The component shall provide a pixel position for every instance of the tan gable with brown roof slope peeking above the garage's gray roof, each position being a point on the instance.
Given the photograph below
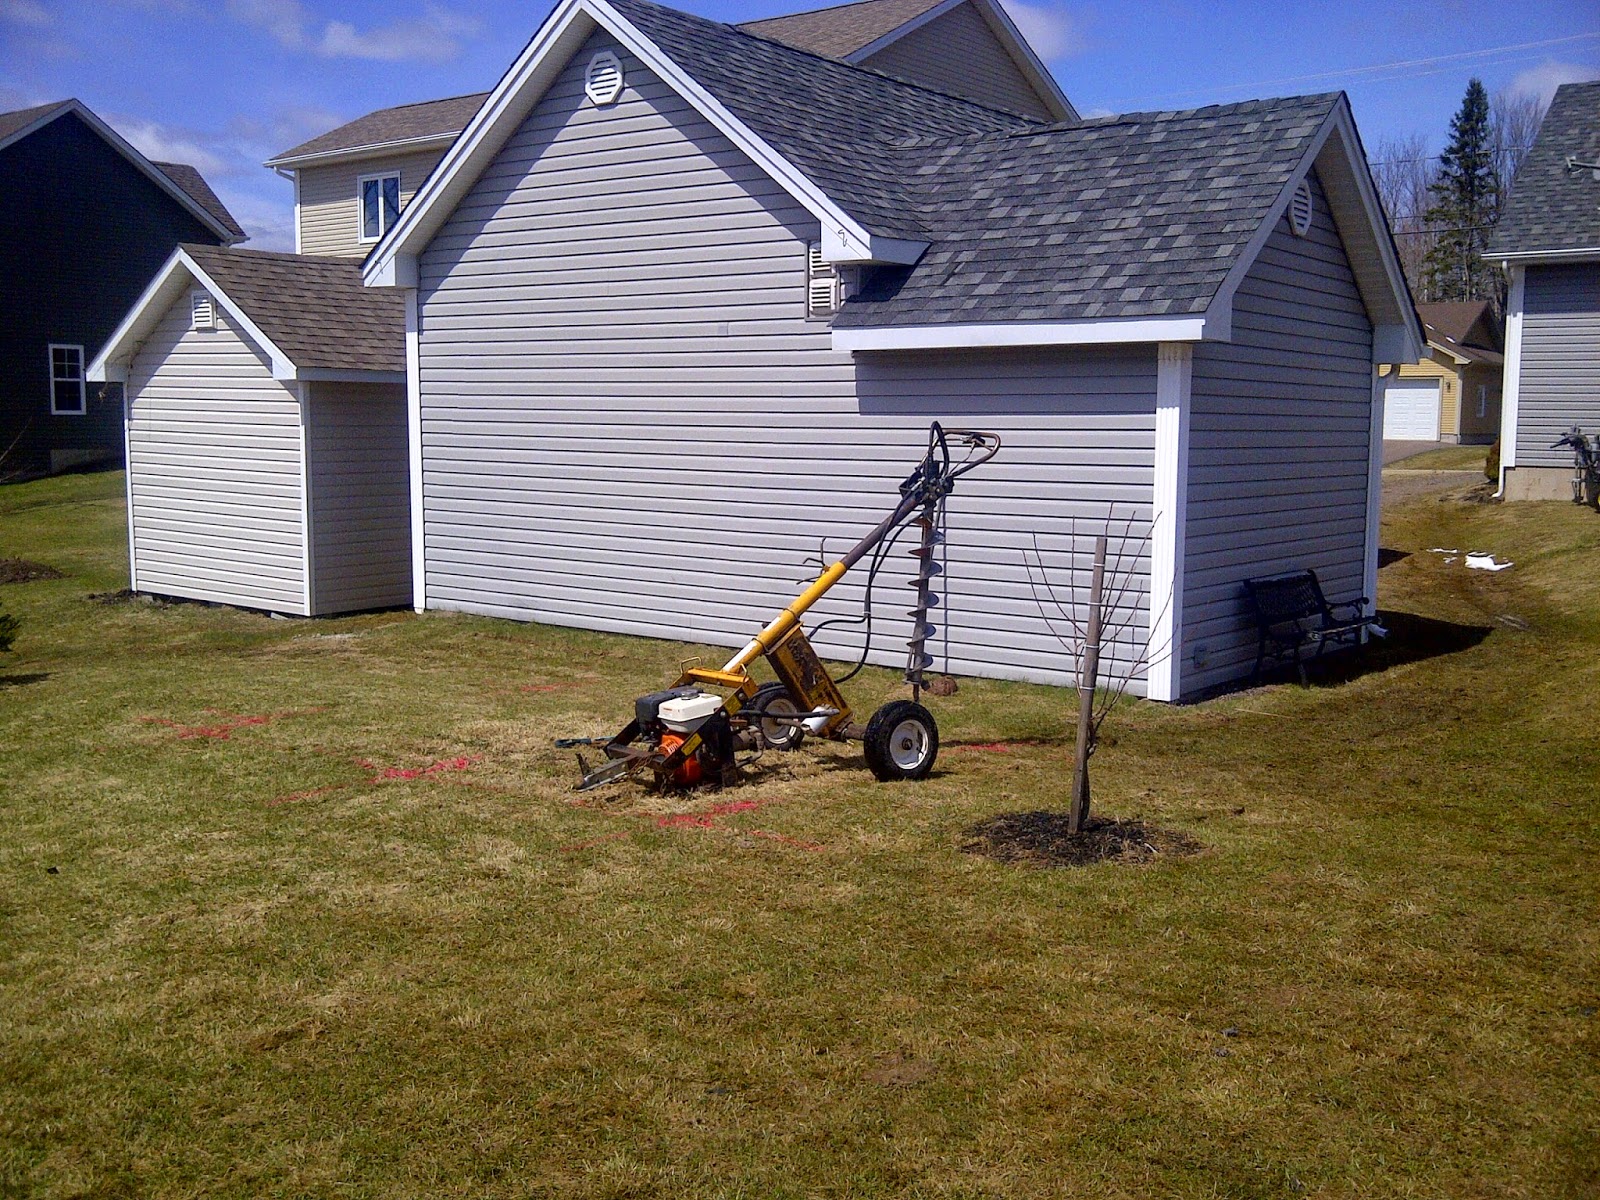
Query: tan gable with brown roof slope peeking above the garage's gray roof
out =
(967, 49)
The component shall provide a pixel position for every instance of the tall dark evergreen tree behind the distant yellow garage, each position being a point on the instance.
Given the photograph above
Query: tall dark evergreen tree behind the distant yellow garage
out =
(1466, 206)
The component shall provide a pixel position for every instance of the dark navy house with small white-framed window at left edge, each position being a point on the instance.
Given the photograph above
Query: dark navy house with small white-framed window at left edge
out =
(90, 222)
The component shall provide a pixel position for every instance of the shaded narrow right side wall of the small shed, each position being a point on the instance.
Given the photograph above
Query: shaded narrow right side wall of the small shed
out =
(361, 497)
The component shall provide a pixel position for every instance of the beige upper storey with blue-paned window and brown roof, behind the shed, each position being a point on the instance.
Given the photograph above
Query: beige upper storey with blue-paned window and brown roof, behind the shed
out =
(353, 183)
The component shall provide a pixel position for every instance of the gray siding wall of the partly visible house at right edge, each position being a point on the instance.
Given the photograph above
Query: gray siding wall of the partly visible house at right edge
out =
(1561, 361)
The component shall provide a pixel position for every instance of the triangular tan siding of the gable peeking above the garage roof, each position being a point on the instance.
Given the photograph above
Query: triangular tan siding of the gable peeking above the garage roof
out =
(961, 57)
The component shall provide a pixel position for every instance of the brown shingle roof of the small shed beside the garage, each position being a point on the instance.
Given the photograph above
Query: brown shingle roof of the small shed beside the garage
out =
(314, 310)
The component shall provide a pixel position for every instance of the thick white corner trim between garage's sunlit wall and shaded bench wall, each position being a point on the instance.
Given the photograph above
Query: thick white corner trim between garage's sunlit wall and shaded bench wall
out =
(1170, 510)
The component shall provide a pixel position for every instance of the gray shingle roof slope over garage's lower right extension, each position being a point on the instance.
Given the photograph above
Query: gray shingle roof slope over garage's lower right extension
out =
(1142, 215)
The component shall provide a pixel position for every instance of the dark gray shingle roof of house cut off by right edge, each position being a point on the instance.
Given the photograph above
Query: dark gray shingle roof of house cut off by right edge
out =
(1554, 209)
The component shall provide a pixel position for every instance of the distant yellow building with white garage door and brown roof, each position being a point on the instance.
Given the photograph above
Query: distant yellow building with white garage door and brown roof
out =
(1454, 393)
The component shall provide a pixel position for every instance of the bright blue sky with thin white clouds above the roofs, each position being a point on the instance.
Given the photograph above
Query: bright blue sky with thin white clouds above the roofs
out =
(226, 84)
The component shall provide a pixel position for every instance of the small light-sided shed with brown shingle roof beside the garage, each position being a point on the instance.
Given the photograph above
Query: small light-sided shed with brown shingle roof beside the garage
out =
(266, 434)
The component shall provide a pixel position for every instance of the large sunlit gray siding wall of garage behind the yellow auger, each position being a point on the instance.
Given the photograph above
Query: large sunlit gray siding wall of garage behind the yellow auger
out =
(631, 425)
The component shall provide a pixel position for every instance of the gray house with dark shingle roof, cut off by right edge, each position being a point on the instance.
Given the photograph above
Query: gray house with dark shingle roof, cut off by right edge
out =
(1550, 242)
